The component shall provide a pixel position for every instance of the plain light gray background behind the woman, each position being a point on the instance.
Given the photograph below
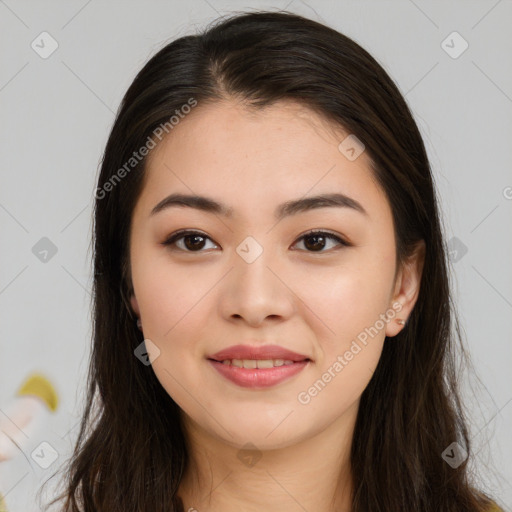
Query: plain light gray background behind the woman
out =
(55, 117)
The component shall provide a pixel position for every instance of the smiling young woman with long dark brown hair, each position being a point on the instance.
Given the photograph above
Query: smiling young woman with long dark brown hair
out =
(272, 320)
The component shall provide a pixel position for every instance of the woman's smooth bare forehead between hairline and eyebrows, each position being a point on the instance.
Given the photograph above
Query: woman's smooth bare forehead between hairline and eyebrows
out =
(254, 157)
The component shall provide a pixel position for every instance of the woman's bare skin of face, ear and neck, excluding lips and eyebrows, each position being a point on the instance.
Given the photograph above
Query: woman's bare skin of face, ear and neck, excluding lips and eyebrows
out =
(193, 304)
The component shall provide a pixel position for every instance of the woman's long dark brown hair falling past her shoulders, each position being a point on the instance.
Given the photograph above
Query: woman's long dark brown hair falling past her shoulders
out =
(131, 452)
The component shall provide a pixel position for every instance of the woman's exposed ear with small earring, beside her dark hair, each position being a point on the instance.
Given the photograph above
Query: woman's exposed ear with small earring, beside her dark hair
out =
(407, 288)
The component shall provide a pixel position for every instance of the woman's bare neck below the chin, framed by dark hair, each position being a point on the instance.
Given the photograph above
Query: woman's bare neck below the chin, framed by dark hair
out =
(312, 474)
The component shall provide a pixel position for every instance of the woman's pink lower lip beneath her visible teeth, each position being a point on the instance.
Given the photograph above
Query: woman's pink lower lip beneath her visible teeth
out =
(258, 377)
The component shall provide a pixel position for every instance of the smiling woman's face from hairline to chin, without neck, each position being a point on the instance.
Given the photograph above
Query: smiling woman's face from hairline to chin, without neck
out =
(252, 278)
